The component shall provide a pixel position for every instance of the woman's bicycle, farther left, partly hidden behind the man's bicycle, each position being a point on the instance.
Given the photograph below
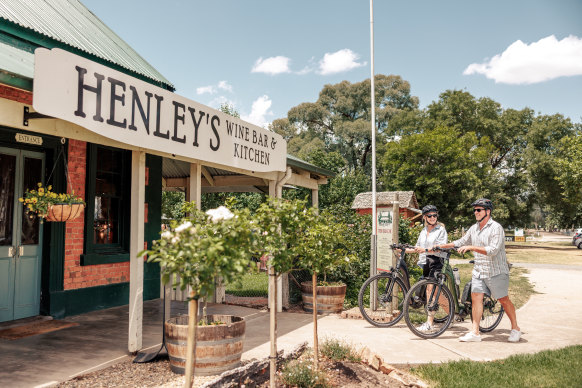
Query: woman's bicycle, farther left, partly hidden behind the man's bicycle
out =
(384, 309)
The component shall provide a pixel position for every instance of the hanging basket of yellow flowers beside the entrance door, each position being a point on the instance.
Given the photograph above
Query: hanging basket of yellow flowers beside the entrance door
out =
(51, 206)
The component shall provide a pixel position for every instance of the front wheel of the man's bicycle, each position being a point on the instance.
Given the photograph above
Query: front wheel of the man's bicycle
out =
(417, 310)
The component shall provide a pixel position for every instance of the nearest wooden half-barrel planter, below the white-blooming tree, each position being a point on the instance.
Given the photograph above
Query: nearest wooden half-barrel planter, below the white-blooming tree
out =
(218, 347)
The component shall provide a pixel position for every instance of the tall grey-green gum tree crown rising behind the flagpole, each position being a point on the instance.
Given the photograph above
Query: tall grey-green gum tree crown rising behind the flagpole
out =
(340, 119)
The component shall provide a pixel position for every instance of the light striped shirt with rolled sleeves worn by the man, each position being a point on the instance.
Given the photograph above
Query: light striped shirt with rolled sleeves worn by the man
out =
(492, 238)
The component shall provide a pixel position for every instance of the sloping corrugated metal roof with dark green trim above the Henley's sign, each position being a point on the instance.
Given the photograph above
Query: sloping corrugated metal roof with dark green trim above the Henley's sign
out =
(69, 25)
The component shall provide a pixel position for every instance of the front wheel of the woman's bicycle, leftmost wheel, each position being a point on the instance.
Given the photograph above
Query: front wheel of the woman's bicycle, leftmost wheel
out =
(390, 295)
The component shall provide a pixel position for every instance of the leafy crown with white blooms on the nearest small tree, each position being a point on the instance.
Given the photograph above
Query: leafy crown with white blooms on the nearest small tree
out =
(203, 247)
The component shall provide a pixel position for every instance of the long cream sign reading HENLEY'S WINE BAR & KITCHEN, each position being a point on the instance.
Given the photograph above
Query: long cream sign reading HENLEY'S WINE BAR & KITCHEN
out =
(131, 111)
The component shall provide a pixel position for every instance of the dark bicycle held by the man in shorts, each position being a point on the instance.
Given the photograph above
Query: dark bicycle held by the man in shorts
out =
(443, 301)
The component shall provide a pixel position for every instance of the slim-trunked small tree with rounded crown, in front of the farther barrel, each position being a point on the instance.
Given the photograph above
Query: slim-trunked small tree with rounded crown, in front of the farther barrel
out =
(322, 248)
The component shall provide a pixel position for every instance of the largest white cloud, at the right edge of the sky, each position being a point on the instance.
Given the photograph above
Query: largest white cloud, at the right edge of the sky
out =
(540, 61)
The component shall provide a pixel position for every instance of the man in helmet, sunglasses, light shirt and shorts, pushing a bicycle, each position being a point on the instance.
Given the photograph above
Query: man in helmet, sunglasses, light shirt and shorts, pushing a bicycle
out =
(491, 272)
